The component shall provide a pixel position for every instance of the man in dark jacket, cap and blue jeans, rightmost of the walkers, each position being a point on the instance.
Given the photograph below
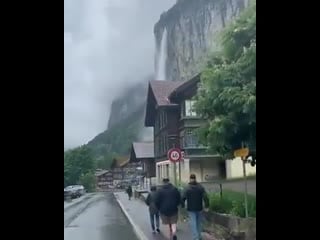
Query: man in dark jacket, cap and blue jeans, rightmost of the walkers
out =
(195, 195)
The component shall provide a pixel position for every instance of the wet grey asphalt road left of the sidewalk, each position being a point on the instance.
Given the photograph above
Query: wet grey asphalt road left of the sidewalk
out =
(97, 218)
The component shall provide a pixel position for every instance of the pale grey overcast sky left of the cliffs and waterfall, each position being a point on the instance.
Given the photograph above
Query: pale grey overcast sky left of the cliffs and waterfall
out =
(108, 44)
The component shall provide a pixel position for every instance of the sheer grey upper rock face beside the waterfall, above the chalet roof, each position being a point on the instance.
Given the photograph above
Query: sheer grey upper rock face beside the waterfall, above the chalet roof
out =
(192, 27)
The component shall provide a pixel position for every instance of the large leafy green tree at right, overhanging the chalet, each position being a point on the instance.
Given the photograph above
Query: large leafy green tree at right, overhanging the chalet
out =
(227, 96)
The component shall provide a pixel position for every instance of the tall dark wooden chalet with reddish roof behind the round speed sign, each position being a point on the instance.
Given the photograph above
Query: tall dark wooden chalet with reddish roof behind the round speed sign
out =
(170, 112)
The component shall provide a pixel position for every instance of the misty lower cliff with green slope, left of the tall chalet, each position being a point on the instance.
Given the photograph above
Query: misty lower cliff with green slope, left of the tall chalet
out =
(125, 123)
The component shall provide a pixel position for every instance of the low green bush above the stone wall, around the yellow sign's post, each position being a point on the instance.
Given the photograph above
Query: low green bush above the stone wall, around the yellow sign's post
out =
(232, 203)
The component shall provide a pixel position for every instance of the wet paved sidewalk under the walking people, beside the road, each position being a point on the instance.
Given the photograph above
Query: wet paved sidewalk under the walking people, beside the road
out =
(138, 215)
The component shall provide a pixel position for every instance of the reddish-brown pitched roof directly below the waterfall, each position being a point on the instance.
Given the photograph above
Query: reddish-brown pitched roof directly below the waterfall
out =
(162, 89)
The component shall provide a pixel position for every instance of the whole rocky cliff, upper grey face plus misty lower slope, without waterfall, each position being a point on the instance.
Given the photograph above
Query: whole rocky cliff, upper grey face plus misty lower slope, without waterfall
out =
(192, 27)
